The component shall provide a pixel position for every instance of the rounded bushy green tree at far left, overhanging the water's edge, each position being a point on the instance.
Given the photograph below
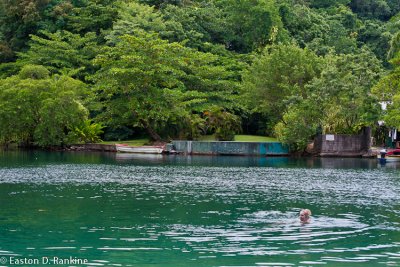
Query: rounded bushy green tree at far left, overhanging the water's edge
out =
(39, 109)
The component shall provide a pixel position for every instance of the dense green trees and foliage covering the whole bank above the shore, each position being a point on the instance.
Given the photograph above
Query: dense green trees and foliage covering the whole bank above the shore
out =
(75, 71)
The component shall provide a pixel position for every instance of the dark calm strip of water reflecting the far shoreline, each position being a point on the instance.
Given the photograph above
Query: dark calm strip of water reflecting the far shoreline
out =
(23, 158)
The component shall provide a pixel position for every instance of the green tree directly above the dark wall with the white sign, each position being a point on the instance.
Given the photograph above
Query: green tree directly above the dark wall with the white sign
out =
(345, 92)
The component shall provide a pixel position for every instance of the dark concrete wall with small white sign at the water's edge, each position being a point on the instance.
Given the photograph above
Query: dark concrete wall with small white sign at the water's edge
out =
(343, 145)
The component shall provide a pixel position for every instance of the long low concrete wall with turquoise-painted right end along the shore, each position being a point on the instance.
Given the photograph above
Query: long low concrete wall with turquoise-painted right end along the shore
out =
(231, 148)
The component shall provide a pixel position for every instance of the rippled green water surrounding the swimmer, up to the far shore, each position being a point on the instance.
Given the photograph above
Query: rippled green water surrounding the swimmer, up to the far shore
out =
(172, 211)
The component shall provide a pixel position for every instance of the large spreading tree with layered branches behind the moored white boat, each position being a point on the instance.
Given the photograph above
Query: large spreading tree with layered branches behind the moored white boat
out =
(150, 83)
